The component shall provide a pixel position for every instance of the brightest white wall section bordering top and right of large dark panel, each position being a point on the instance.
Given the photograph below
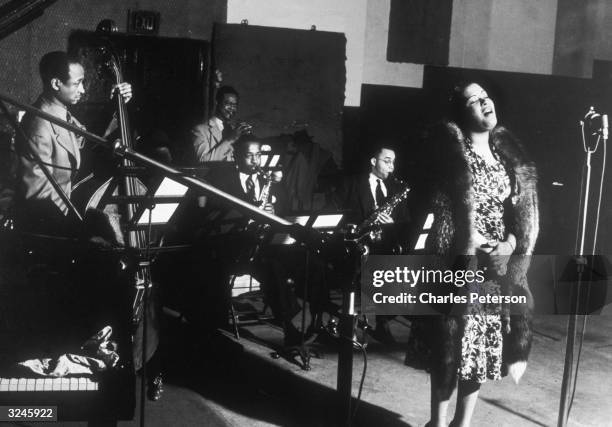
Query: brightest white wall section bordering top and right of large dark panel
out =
(344, 16)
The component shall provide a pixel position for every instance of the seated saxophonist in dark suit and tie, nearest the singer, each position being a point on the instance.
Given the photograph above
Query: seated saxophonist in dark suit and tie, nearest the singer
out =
(369, 198)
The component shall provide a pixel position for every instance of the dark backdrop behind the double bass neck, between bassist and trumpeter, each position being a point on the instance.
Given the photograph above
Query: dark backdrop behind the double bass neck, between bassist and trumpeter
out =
(169, 77)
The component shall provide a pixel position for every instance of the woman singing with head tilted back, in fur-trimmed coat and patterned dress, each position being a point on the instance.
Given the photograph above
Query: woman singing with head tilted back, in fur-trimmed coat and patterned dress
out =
(485, 204)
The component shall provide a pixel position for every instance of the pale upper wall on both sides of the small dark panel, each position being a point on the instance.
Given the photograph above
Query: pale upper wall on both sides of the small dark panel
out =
(504, 35)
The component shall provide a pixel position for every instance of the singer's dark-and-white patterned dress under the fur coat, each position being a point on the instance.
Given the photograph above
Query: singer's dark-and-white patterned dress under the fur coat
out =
(481, 343)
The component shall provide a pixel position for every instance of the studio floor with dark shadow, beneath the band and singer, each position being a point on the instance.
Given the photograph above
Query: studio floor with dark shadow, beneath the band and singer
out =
(230, 382)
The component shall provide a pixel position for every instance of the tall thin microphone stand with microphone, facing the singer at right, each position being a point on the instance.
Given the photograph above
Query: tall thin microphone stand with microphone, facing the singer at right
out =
(575, 292)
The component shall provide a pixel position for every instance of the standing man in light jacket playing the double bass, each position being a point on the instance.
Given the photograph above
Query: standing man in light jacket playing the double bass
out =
(40, 205)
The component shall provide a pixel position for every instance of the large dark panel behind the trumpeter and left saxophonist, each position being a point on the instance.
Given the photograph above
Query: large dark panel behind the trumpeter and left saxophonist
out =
(287, 79)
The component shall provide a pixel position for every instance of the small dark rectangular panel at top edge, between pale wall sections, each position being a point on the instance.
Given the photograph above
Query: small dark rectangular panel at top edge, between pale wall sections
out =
(419, 31)
